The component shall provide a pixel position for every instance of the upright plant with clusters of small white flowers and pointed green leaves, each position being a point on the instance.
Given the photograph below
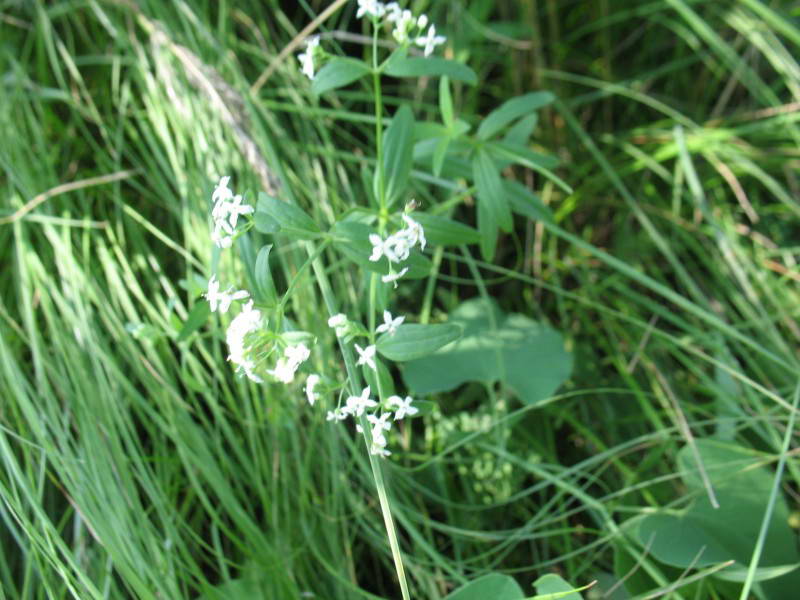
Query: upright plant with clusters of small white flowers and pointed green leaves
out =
(386, 237)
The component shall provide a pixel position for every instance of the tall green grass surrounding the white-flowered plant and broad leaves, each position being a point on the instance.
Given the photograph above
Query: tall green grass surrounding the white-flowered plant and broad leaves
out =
(136, 465)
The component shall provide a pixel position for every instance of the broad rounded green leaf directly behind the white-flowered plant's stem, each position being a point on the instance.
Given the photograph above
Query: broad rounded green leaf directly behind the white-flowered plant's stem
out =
(528, 356)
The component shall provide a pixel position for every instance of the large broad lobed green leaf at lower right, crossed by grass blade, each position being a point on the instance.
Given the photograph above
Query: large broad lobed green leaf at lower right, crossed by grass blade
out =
(702, 535)
